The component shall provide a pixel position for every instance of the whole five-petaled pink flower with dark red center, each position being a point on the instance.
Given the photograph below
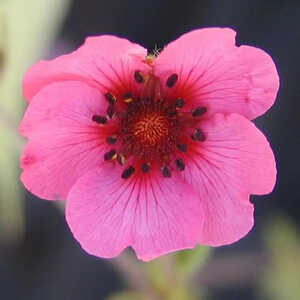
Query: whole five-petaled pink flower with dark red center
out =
(154, 153)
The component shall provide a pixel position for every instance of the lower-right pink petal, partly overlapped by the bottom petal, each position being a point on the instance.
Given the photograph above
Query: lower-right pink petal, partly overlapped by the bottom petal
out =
(234, 161)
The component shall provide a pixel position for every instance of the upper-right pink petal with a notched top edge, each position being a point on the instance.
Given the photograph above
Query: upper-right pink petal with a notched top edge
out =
(215, 73)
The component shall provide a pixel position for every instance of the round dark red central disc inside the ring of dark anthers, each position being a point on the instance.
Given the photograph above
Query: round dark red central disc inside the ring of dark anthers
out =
(148, 132)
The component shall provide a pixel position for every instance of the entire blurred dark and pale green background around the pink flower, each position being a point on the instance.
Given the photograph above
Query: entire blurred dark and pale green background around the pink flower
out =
(39, 259)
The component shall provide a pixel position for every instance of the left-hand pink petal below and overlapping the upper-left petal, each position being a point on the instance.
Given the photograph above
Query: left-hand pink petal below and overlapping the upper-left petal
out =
(64, 142)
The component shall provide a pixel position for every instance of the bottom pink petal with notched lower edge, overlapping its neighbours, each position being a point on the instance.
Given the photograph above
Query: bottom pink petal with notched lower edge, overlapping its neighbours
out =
(152, 214)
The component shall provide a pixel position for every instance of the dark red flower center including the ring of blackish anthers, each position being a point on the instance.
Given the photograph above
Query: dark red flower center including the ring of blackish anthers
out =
(152, 131)
